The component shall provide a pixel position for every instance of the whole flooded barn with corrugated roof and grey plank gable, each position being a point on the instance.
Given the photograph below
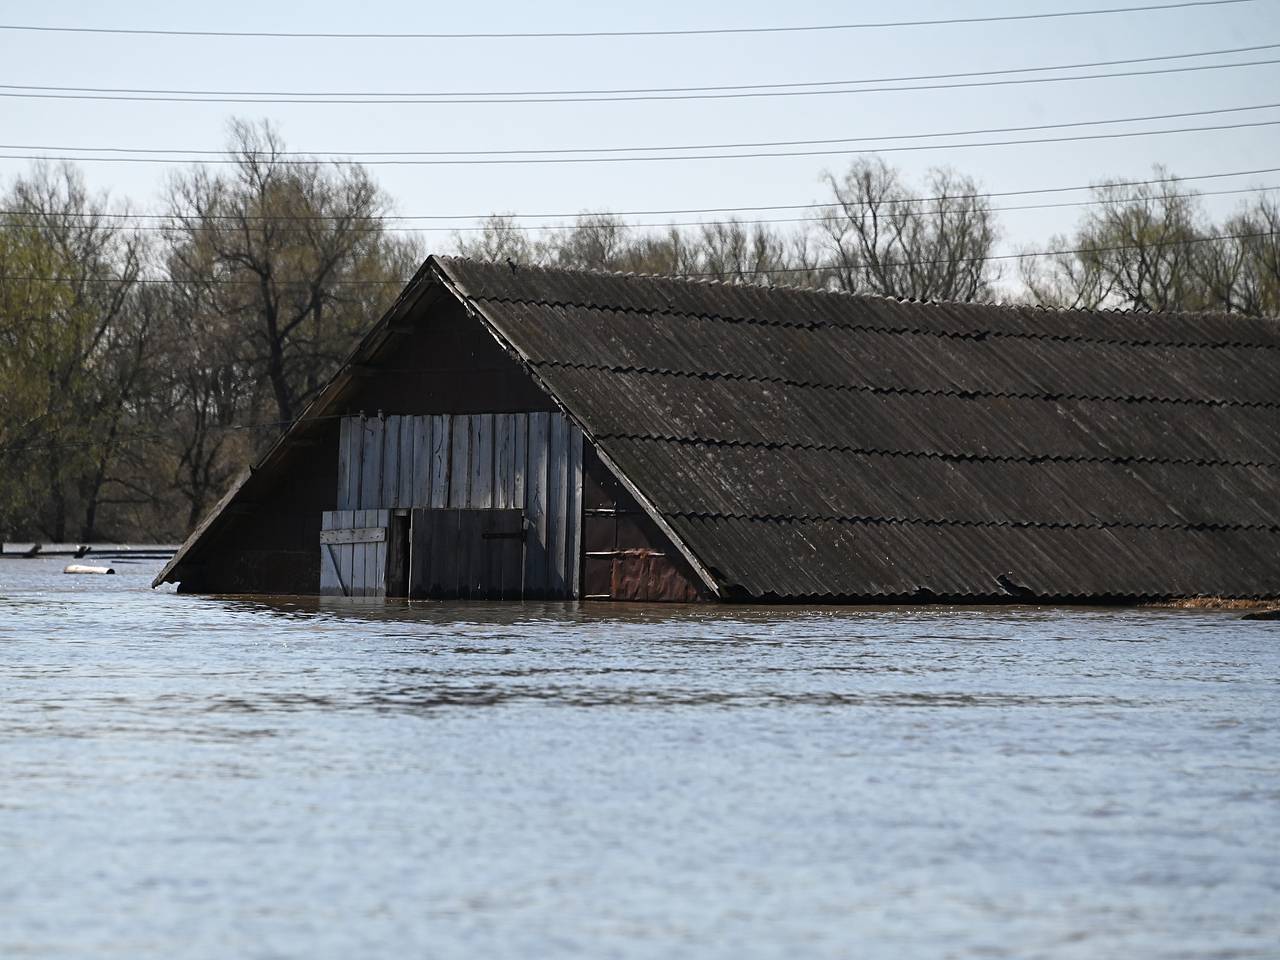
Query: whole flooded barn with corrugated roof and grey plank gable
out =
(509, 432)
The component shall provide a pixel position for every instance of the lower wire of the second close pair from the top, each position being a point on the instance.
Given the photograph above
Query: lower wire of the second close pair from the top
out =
(755, 156)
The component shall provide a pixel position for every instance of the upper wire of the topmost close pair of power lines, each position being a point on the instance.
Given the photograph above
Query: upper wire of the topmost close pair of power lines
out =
(633, 90)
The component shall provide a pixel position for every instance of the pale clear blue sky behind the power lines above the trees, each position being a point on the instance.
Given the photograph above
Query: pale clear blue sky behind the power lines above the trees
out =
(523, 65)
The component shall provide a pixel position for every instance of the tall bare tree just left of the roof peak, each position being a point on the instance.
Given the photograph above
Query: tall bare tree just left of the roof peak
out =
(291, 252)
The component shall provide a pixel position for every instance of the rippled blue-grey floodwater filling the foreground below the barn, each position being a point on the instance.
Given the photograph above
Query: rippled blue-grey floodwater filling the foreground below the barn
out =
(213, 778)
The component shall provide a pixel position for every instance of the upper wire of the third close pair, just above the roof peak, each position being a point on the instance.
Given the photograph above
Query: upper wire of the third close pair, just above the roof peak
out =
(671, 212)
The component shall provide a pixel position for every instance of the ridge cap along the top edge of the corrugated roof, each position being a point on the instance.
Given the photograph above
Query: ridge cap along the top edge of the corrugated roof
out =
(1218, 317)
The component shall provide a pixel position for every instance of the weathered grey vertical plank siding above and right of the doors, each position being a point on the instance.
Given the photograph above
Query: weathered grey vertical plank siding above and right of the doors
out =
(478, 461)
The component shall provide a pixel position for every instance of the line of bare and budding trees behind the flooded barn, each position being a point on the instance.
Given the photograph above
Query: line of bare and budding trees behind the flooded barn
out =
(143, 367)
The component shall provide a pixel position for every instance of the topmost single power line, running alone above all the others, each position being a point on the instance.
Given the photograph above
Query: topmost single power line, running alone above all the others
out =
(602, 34)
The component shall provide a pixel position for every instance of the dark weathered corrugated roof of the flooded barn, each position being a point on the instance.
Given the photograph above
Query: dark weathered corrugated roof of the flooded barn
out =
(810, 446)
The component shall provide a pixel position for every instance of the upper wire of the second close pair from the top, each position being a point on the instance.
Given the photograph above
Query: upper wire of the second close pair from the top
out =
(232, 157)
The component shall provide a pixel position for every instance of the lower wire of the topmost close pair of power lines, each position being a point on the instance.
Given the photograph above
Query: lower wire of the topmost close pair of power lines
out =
(159, 97)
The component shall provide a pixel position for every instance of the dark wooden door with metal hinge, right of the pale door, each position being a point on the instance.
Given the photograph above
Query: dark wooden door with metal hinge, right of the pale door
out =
(469, 555)
